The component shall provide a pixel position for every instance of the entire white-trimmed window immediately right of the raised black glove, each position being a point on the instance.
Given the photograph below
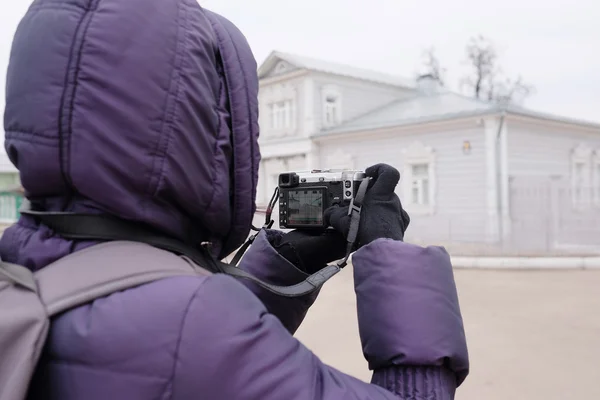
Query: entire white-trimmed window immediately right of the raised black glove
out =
(419, 179)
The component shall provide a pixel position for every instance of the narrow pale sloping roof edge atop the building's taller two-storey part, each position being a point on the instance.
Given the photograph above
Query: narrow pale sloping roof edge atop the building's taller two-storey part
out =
(329, 67)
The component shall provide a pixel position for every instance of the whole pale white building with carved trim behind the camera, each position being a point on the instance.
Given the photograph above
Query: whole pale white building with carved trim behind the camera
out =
(476, 176)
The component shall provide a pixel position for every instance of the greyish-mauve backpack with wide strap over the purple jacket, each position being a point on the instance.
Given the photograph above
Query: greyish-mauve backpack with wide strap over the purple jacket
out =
(29, 300)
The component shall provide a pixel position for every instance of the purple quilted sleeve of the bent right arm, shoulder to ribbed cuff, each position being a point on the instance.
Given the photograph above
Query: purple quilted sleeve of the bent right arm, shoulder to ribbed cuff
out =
(410, 325)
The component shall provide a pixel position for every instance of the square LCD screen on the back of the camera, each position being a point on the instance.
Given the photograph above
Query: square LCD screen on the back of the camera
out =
(305, 207)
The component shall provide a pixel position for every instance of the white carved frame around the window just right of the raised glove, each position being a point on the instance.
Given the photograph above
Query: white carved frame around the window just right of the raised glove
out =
(419, 154)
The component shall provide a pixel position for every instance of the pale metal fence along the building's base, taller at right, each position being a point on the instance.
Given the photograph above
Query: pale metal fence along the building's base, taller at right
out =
(546, 217)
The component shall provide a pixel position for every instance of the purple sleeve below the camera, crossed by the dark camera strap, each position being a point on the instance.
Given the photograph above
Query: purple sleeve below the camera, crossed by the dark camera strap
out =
(264, 262)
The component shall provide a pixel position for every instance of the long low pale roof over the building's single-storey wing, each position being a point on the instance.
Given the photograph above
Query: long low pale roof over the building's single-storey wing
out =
(438, 107)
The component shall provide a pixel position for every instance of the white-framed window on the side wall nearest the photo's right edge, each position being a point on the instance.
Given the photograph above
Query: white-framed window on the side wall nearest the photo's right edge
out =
(581, 176)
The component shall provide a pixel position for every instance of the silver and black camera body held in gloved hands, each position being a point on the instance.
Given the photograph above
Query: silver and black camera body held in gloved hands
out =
(304, 196)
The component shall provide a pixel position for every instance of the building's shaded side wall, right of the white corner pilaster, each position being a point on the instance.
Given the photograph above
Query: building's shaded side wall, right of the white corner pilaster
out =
(549, 210)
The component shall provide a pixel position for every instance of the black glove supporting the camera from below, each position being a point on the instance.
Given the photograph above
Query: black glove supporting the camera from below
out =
(311, 251)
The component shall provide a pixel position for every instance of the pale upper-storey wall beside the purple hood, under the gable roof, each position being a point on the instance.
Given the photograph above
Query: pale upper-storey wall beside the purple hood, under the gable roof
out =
(291, 148)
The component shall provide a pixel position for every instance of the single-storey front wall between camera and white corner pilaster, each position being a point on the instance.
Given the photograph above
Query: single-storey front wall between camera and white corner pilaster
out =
(460, 203)
